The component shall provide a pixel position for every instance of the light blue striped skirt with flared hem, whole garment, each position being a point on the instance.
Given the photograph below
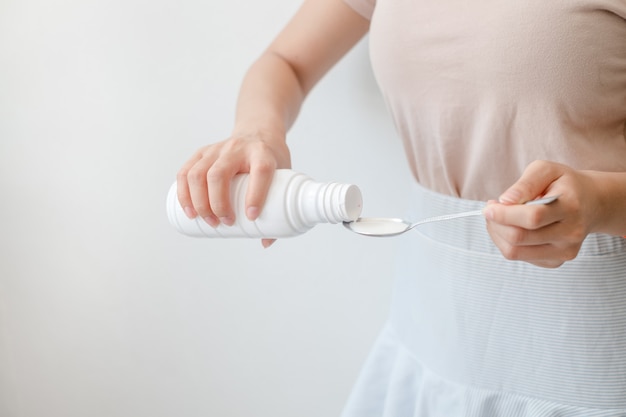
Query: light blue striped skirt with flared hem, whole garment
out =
(472, 334)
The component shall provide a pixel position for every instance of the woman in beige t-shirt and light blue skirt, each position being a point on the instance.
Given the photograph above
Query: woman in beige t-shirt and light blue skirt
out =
(523, 317)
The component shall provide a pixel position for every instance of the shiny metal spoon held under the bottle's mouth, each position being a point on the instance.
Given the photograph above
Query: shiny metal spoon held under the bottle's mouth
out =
(383, 227)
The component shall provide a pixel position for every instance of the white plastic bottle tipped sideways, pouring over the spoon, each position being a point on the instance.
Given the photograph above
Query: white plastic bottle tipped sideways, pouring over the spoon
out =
(295, 203)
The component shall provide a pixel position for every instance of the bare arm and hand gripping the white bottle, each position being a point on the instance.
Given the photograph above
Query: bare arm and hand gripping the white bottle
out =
(319, 34)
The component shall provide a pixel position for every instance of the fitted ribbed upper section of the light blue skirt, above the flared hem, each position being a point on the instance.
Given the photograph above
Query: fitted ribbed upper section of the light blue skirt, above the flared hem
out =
(477, 319)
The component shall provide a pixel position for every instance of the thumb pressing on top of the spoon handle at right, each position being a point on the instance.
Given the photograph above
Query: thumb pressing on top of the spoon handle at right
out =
(533, 182)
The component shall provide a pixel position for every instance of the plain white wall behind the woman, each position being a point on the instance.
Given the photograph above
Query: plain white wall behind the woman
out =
(104, 309)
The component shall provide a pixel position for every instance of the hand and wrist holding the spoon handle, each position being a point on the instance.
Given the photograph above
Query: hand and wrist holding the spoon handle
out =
(590, 202)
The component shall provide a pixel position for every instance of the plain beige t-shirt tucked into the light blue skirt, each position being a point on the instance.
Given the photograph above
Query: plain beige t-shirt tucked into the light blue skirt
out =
(478, 90)
